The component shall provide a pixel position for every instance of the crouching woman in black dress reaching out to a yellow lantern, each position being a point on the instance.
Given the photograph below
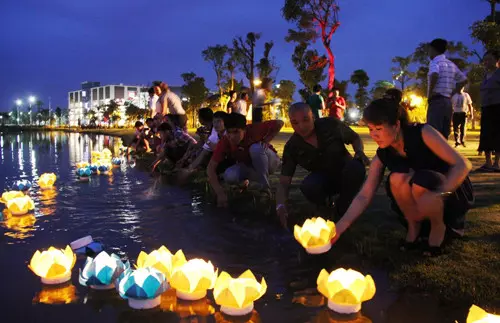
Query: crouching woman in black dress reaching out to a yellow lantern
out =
(427, 181)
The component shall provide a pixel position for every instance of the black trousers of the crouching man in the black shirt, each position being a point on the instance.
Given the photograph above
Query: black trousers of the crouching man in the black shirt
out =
(317, 187)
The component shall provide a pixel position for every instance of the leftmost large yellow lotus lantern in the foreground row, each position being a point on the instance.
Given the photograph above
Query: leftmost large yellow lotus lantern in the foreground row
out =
(53, 265)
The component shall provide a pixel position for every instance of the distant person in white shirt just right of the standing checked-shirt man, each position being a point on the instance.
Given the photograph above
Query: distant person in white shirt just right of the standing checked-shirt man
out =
(462, 108)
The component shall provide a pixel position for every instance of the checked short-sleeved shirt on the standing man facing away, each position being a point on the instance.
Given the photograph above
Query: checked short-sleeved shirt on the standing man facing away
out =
(449, 76)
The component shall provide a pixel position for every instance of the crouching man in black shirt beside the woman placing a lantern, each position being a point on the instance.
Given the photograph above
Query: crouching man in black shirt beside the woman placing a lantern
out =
(319, 147)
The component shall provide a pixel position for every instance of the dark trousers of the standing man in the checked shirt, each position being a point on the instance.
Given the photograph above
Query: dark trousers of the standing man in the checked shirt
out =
(439, 114)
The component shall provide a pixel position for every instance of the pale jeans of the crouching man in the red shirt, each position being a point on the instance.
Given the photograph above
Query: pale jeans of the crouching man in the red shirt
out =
(264, 162)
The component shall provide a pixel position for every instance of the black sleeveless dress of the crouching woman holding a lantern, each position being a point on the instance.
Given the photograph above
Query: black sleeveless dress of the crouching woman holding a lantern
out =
(426, 165)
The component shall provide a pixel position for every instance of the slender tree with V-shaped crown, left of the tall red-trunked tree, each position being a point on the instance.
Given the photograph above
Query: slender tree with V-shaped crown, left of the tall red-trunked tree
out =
(244, 54)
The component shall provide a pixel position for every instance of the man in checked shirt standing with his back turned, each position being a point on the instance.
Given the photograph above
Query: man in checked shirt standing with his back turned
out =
(445, 79)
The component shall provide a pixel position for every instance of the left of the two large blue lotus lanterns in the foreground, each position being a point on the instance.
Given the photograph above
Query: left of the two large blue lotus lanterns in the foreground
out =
(102, 271)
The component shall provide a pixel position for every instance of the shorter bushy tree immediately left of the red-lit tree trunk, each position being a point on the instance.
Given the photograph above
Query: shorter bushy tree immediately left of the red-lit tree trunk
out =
(310, 67)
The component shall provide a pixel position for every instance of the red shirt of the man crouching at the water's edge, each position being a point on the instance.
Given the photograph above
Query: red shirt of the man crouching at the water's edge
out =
(254, 133)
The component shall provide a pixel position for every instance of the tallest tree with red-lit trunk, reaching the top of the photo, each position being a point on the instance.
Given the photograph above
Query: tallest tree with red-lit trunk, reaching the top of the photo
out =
(315, 19)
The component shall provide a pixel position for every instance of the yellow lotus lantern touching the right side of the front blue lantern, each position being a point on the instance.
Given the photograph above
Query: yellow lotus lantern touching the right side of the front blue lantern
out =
(193, 278)
